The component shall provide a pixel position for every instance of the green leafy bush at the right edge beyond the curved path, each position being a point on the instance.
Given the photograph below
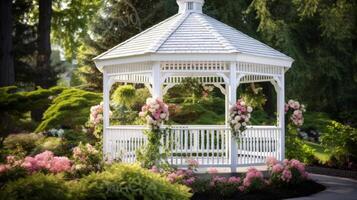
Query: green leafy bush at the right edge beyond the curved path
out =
(341, 141)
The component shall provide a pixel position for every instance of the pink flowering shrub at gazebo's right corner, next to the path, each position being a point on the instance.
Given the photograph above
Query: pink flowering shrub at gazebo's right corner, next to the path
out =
(288, 173)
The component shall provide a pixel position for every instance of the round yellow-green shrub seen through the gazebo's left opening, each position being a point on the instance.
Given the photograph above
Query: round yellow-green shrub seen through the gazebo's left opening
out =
(124, 95)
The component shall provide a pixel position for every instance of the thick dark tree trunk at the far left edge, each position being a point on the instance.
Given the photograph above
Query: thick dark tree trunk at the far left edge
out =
(7, 72)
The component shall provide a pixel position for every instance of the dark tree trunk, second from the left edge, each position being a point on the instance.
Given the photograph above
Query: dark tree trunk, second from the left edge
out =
(44, 43)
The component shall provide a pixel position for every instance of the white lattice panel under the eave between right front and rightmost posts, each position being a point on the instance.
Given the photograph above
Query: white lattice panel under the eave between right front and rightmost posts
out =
(259, 68)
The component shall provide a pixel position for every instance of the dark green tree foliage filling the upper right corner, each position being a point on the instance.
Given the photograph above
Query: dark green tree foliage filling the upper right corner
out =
(325, 61)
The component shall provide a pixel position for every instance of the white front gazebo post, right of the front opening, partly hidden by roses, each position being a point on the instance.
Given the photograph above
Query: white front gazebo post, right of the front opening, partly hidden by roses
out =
(232, 97)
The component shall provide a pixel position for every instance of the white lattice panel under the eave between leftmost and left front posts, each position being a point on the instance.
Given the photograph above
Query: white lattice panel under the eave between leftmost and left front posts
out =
(128, 68)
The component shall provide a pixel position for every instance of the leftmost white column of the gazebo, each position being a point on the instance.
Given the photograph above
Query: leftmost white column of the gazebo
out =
(106, 100)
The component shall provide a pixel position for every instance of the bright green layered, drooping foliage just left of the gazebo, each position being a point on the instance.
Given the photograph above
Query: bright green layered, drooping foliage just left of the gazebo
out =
(70, 109)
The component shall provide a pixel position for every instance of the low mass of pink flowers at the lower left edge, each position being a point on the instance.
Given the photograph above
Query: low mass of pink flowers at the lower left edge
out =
(44, 161)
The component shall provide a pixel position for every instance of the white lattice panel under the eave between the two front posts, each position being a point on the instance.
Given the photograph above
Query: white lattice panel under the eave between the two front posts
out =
(204, 66)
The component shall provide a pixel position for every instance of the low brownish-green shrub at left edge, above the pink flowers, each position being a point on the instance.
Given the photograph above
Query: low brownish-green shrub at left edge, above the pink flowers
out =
(25, 141)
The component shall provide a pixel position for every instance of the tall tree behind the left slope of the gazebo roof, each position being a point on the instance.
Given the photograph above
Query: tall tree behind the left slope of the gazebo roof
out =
(114, 23)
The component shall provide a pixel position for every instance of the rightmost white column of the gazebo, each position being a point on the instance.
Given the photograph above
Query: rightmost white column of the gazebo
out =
(282, 115)
